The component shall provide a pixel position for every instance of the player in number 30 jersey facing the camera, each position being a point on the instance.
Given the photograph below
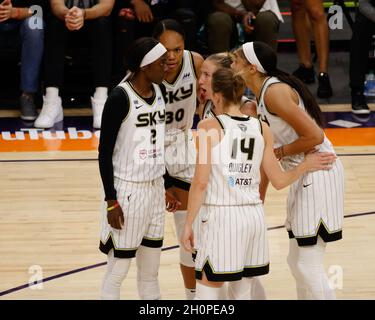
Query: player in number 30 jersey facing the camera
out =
(180, 83)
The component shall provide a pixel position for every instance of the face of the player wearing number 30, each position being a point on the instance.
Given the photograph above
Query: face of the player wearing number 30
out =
(174, 43)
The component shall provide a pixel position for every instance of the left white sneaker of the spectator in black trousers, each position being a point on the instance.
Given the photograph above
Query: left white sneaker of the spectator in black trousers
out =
(51, 113)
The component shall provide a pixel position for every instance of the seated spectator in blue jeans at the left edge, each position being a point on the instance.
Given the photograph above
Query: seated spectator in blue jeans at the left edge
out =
(16, 15)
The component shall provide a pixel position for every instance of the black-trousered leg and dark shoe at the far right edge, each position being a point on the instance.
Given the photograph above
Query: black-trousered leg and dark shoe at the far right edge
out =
(364, 29)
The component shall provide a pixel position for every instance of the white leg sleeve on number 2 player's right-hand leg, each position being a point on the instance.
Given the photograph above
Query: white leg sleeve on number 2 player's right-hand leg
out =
(148, 262)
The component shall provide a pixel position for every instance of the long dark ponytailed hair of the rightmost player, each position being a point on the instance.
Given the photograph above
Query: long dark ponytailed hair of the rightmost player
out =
(268, 60)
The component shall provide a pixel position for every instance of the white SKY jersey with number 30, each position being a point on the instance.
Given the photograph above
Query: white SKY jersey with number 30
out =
(181, 97)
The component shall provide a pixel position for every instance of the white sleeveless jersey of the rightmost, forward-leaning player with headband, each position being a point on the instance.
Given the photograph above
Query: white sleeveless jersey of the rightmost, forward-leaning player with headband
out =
(282, 132)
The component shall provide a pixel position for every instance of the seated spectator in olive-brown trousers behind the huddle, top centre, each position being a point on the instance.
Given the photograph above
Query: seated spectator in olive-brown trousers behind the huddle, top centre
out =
(260, 20)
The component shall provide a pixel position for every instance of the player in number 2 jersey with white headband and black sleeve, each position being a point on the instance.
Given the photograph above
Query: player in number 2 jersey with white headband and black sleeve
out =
(131, 161)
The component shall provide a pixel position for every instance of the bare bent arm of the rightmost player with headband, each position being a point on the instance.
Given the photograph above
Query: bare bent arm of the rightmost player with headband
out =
(281, 100)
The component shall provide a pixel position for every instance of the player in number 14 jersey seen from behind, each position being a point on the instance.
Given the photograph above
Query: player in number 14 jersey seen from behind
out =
(231, 148)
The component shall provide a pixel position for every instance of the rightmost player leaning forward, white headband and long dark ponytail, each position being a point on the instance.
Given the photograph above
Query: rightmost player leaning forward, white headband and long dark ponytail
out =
(315, 202)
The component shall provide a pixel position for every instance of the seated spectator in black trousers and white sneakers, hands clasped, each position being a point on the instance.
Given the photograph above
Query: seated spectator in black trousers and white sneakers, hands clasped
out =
(72, 16)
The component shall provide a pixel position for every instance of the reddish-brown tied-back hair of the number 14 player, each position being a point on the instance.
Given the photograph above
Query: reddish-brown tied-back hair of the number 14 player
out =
(229, 84)
